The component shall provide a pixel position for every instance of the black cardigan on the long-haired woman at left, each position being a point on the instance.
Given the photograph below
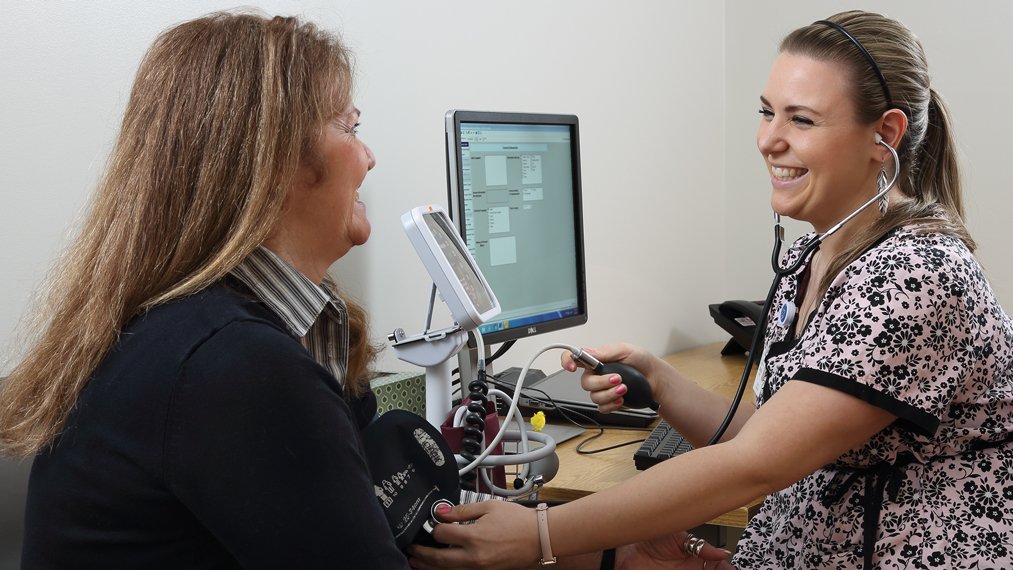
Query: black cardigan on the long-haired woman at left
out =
(209, 439)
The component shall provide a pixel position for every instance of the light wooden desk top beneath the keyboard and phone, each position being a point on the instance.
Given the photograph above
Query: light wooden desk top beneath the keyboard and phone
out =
(582, 475)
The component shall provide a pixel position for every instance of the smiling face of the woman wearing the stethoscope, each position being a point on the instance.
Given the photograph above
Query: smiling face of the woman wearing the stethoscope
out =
(822, 162)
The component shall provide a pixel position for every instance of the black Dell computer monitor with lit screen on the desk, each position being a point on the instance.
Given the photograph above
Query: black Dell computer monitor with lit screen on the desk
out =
(515, 194)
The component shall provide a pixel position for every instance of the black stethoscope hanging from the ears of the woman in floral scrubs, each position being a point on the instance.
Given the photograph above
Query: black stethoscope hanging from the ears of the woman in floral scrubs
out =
(787, 313)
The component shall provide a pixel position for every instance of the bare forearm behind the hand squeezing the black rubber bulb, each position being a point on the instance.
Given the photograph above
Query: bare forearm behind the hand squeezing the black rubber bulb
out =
(695, 412)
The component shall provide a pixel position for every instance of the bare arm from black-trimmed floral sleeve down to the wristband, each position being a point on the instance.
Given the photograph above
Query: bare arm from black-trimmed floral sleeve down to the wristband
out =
(812, 425)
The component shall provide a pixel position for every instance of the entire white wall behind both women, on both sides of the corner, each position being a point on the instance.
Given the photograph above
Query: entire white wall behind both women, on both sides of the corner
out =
(675, 193)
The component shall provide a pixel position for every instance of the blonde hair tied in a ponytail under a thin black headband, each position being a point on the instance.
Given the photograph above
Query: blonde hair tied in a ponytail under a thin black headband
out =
(930, 179)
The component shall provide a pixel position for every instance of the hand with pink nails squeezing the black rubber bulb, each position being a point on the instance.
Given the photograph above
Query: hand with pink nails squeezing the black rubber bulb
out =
(607, 391)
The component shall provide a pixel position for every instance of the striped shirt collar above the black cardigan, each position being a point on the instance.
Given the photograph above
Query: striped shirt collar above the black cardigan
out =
(286, 291)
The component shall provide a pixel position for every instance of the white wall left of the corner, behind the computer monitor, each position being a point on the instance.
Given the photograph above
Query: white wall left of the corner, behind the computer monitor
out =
(646, 78)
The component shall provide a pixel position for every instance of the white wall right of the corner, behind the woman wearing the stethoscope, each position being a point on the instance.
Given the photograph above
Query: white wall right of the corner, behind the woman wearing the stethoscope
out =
(970, 53)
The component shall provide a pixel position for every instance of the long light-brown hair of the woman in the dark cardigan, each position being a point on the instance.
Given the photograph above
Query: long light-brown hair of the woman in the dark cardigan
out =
(223, 111)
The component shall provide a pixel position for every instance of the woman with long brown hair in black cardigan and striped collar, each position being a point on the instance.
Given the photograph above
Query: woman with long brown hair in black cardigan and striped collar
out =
(196, 384)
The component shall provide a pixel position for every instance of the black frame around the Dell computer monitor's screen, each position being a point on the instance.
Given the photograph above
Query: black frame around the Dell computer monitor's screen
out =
(454, 119)
